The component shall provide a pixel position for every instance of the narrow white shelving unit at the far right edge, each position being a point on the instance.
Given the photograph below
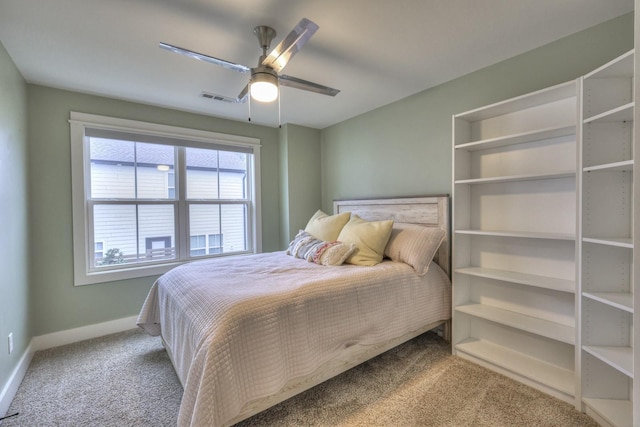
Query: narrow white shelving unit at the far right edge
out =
(606, 249)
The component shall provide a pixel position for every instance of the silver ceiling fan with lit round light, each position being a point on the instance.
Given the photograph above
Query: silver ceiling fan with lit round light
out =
(265, 78)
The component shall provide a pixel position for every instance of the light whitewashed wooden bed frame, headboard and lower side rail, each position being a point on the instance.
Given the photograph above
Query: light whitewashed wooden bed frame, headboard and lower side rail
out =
(429, 211)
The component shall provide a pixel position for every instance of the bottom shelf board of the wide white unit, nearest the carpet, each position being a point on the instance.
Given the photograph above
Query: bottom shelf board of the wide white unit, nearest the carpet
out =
(519, 363)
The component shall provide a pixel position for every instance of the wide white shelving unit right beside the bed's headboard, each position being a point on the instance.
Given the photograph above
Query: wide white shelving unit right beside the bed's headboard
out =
(514, 241)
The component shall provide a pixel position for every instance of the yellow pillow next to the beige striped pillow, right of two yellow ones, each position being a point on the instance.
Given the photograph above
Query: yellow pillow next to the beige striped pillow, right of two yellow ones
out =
(370, 237)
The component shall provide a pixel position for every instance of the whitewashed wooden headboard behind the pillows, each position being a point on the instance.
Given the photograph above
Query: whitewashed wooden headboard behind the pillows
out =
(429, 211)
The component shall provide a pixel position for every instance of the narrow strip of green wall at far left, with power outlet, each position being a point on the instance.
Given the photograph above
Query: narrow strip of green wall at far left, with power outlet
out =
(14, 280)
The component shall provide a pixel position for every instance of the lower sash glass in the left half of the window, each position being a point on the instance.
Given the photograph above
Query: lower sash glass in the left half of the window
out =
(117, 226)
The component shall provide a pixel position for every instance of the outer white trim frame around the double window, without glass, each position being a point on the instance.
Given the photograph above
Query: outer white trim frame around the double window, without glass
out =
(82, 251)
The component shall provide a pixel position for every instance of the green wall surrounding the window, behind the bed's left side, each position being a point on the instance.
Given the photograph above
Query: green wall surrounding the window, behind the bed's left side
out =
(56, 304)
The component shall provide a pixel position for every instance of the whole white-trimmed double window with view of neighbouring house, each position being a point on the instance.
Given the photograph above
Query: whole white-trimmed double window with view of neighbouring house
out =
(147, 197)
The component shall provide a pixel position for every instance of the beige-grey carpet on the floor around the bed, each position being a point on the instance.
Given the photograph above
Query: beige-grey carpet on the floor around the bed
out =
(127, 380)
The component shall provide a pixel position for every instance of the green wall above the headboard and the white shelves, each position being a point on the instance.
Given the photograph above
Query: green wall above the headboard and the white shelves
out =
(404, 148)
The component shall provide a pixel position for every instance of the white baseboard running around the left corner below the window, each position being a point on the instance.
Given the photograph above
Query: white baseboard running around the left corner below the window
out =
(57, 339)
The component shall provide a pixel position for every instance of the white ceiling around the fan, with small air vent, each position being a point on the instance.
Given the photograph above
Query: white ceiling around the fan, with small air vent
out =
(375, 51)
